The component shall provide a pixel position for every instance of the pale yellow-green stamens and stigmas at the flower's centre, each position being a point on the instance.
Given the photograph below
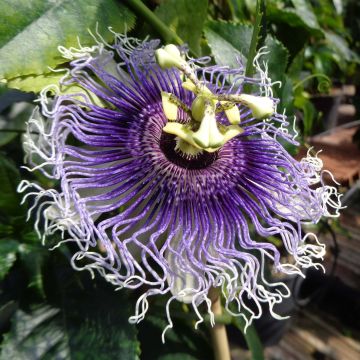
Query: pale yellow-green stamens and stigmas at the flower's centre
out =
(207, 136)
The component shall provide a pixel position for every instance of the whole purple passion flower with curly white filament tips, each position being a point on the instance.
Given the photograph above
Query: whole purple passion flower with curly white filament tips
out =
(163, 165)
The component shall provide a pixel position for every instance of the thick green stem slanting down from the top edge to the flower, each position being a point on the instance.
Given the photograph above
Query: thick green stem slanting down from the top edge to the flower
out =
(143, 11)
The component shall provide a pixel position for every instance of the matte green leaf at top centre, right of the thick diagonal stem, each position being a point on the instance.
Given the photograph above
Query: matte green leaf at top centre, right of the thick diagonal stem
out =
(186, 18)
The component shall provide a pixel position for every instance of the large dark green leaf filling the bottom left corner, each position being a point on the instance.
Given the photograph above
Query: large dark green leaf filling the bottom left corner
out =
(66, 333)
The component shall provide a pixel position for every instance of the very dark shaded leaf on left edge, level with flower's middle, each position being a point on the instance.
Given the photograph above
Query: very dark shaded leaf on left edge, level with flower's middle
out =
(9, 180)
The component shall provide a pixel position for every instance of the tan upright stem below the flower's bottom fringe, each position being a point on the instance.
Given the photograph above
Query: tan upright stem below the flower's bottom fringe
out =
(218, 331)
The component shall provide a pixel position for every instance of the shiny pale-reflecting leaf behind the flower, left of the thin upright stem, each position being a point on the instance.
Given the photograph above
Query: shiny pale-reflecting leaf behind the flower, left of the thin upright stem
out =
(228, 42)
